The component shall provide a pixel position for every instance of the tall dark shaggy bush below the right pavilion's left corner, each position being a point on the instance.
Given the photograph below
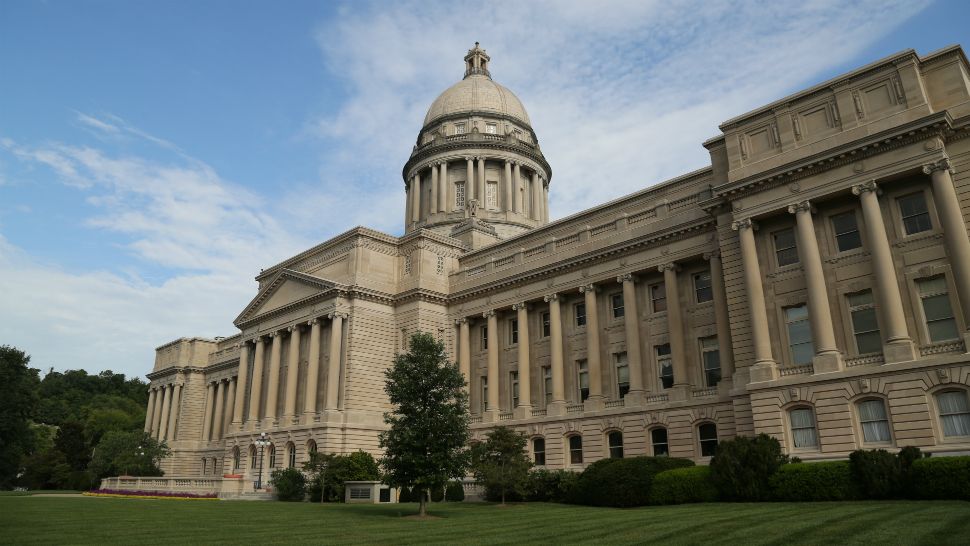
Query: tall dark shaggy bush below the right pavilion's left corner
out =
(742, 466)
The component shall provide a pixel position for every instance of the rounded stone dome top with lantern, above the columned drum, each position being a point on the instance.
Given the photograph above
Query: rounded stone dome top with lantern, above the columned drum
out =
(477, 93)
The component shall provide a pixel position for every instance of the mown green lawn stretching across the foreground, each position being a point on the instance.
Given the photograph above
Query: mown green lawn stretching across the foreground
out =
(39, 520)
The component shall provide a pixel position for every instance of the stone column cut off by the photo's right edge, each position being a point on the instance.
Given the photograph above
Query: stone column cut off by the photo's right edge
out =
(954, 233)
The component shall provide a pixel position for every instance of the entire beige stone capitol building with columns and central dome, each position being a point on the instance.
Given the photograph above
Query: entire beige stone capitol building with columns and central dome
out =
(811, 283)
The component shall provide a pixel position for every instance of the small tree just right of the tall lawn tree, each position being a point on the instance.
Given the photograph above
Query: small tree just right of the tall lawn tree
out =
(500, 462)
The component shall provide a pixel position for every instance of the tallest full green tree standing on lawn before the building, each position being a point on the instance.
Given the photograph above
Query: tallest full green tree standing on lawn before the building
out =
(425, 444)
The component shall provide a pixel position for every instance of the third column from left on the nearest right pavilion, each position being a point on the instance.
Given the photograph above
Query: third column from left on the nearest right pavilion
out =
(898, 345)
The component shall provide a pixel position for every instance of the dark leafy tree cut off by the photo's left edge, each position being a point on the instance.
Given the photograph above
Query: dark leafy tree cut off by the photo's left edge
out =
(18, 397)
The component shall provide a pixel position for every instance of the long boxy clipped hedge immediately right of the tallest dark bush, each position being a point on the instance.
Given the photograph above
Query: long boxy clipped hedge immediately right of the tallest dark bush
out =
(825, 481)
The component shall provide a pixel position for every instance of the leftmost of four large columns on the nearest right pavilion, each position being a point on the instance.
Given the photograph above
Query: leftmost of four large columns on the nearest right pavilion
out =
(765, 368)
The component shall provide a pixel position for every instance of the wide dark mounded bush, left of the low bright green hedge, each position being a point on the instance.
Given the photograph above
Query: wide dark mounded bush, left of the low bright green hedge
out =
(621, 482)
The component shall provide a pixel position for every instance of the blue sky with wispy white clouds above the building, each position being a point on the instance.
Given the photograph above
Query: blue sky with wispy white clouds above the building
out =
(154, 156)
